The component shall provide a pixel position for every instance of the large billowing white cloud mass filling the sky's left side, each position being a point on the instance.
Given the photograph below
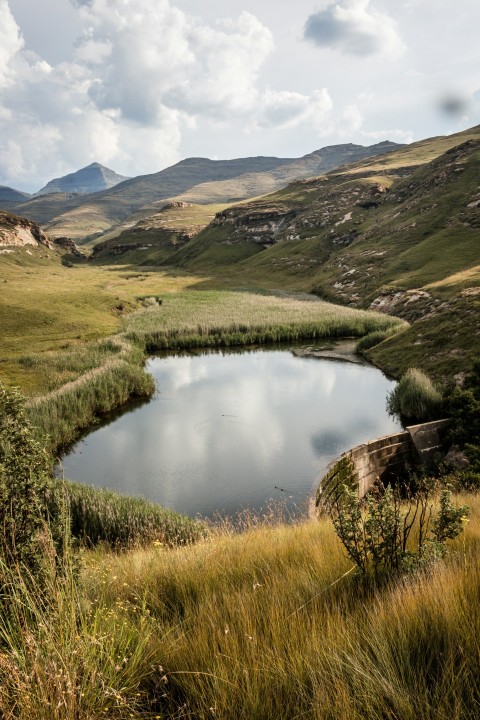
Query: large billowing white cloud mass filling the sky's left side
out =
(142, 71)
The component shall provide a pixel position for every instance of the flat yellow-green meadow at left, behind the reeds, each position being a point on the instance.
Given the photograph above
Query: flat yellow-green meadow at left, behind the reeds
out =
(46, 307)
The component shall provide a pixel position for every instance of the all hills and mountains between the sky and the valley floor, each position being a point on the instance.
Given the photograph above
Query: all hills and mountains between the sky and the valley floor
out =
(397, 231)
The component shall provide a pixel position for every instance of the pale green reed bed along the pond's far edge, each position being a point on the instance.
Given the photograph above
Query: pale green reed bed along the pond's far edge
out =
(225, 318)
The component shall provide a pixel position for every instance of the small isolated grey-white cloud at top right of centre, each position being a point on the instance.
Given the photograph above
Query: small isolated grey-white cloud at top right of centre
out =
(354, 28)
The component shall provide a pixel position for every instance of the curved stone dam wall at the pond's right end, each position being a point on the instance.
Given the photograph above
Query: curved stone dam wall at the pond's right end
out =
(387, 458)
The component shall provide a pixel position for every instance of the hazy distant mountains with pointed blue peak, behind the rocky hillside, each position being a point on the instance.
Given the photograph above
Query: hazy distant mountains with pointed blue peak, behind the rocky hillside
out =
(199, 180)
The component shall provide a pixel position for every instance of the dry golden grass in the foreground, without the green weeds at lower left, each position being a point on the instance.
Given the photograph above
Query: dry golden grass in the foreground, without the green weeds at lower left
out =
(271, 624)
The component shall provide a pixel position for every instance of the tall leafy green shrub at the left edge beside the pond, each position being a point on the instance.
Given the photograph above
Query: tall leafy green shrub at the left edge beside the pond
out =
(31, 517)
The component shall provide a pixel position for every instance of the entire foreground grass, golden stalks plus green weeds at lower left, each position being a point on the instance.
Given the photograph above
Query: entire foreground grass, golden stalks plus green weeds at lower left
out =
(267, 624)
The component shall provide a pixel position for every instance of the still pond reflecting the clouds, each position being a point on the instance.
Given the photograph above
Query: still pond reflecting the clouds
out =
(231, 430)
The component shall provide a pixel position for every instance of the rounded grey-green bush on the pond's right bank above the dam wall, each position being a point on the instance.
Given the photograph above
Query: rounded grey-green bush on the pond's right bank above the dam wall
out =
(415, 398)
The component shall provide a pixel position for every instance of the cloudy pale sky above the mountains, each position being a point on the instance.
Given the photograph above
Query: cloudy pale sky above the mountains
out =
(138, 85)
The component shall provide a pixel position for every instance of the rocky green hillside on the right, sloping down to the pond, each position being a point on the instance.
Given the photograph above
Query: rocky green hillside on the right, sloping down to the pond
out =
(359, 234)
